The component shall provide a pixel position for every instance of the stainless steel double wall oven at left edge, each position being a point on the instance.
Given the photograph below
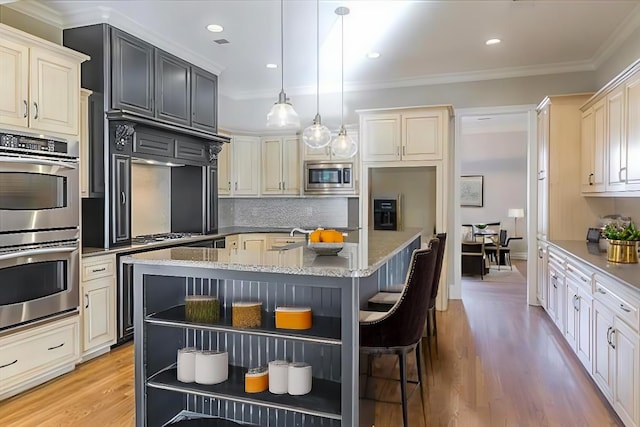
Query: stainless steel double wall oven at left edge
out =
(39, 228)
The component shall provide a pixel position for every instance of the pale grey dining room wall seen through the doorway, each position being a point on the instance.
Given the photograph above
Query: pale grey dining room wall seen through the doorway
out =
(501, 157)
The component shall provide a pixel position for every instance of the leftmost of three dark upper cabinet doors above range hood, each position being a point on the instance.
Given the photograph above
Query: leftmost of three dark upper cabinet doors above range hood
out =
(131, 74)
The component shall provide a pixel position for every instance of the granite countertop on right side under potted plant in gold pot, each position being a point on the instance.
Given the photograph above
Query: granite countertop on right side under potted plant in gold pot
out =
(628, 274)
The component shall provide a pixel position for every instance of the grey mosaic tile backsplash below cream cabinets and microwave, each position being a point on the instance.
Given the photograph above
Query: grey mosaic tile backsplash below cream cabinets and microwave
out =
(330, 212)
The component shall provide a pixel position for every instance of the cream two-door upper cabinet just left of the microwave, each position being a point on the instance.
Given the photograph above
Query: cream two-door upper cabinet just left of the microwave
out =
(281, 168)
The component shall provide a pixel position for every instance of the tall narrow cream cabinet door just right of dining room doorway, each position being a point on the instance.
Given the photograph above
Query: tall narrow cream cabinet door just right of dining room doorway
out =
(543, 168)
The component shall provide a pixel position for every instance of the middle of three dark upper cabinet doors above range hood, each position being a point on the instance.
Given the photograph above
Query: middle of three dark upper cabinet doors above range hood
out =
(173, 88)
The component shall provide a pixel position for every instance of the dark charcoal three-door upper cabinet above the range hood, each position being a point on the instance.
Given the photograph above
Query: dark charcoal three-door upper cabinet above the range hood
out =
(146, 82)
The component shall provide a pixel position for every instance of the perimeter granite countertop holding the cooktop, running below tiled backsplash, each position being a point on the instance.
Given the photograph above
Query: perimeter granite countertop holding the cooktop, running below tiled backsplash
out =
(222, 232)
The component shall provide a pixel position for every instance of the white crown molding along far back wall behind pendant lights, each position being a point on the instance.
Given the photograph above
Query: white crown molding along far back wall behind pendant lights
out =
(429, 80)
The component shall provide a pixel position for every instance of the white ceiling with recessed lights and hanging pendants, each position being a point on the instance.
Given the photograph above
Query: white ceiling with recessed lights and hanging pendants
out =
(420, 42)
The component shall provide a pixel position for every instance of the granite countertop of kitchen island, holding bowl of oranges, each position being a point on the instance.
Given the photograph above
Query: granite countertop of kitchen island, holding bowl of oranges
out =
(299, 260)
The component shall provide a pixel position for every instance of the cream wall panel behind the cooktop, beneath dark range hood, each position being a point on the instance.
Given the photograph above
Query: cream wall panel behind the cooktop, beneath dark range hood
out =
(150, 199)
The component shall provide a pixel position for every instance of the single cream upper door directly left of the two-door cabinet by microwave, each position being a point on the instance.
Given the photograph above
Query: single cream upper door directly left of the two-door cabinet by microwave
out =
(246, 166)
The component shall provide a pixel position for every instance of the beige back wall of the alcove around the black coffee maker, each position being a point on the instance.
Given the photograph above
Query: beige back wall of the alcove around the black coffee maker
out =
(418, 188)
